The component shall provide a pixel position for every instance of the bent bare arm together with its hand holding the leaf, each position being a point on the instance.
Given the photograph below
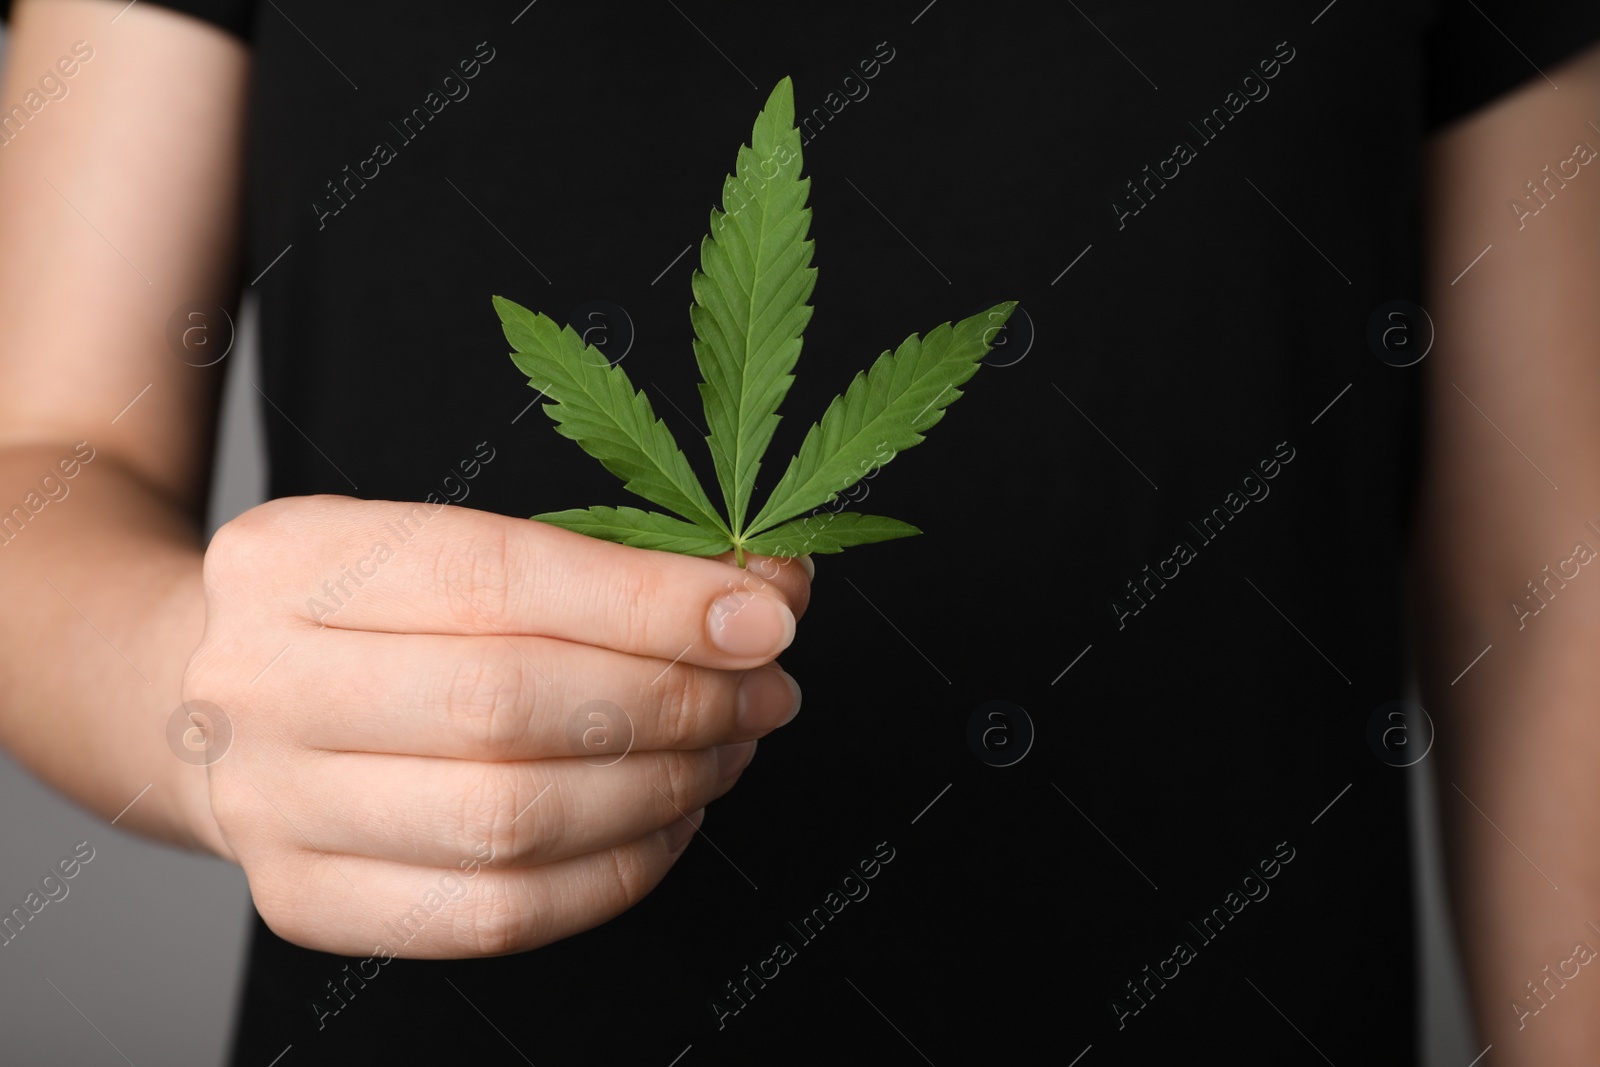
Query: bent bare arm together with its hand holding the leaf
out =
(431, 717)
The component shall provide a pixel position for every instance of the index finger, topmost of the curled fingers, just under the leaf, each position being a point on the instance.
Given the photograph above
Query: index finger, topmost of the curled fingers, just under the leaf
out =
(425, 569)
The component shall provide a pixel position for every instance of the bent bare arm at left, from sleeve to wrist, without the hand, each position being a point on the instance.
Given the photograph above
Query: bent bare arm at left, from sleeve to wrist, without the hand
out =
(118, 204)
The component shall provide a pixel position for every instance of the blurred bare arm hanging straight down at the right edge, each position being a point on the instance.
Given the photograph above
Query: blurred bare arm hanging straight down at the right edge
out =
(1519, 735)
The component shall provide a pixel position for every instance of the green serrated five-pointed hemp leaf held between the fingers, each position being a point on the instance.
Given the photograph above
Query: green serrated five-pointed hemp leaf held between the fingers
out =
(750, 311)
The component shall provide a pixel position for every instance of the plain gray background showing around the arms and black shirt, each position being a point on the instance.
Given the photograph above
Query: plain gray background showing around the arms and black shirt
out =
(142, 961)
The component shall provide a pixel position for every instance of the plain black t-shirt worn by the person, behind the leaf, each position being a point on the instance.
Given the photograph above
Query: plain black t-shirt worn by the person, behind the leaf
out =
(1164, 526)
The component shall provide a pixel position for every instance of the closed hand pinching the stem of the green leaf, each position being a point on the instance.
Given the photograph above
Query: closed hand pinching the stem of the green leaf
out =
(407, 689)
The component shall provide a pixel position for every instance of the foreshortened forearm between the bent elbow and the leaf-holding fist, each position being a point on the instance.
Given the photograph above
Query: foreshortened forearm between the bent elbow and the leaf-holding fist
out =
(105, 607)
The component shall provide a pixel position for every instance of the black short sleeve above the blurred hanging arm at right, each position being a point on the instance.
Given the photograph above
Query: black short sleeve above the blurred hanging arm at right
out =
(1482, 49)
